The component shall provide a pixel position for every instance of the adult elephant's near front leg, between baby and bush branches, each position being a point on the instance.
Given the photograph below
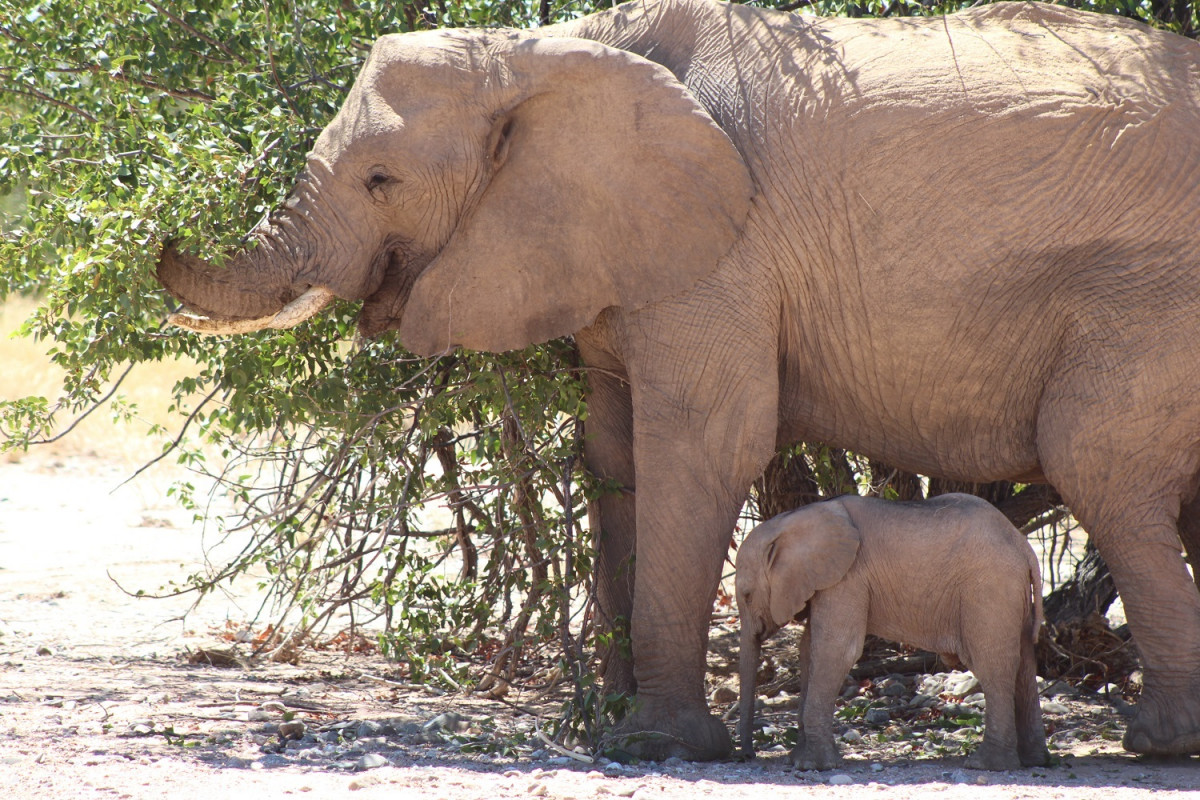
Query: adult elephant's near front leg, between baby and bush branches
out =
(694, 473)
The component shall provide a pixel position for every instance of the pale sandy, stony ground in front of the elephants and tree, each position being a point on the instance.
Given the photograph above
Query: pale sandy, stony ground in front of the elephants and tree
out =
(98, 697)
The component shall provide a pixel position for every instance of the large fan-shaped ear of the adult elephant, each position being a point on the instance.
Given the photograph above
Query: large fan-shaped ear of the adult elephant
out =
(615, 188)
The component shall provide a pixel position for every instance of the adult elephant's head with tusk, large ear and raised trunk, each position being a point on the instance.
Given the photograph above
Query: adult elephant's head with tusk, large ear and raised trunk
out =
(489, 190)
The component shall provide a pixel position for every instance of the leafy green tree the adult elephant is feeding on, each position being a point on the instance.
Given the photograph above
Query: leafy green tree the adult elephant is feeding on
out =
(131, 123)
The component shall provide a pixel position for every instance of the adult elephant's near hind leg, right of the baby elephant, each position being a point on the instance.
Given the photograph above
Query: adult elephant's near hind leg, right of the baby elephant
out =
(1130, 507)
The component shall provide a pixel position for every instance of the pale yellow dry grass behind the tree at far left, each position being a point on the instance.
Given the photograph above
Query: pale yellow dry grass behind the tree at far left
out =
(28, 371)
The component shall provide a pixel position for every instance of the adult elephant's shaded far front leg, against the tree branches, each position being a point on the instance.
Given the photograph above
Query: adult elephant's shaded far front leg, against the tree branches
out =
(609, 448)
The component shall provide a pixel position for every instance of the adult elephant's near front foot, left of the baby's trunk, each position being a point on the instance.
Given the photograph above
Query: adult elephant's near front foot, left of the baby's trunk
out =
(656, 735)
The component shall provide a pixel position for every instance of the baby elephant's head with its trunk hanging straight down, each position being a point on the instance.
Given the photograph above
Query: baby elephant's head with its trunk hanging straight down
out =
(781, 566)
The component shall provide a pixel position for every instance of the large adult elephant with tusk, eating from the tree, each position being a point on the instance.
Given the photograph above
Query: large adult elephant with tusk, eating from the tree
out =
(968, 246)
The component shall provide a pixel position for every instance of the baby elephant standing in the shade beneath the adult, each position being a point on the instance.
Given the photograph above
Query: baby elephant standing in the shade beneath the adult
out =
(949, 575)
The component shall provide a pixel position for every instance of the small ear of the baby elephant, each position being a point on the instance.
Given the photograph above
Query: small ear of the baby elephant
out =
(815, 549)
